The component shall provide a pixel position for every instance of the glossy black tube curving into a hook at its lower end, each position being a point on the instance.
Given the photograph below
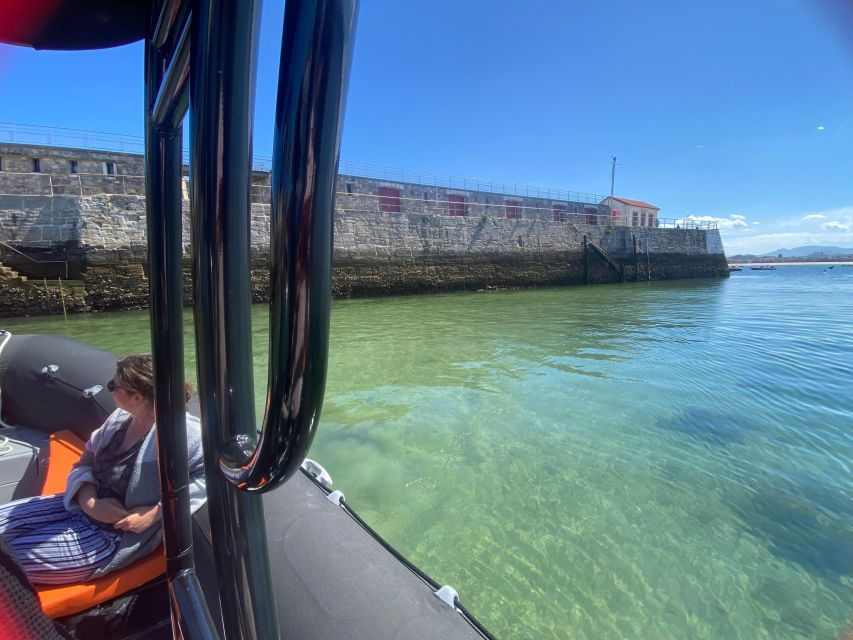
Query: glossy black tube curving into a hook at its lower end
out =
(315, 61)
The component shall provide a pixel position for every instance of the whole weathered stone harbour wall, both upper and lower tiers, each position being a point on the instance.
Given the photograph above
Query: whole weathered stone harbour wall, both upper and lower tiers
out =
(91, 229)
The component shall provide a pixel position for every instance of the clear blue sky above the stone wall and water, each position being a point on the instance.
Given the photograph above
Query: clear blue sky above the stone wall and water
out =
(734, 110)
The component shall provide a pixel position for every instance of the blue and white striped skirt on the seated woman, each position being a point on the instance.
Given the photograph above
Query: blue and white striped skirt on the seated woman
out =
(54, 545)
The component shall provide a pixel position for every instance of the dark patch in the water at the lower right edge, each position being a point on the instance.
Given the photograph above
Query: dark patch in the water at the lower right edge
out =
(809, 523)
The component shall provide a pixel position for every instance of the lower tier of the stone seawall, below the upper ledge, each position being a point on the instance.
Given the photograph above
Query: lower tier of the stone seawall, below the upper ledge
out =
(98, 242)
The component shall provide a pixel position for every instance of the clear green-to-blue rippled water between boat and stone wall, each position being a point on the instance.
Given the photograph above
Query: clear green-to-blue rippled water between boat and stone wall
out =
(665, 460)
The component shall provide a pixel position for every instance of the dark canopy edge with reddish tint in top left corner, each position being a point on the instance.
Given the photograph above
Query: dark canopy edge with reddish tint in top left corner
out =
(73, 24)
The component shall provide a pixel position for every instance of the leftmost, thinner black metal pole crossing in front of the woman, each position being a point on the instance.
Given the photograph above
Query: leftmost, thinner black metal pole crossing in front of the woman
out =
(163, 202)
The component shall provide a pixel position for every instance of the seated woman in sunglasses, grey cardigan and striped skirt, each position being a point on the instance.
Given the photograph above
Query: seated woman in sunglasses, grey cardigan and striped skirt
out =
(109, 515)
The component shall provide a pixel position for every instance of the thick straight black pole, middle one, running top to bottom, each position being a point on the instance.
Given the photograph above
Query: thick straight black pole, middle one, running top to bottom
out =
(222, 82)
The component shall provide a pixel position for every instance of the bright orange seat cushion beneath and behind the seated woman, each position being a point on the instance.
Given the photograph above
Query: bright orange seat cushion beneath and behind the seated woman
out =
(65, 449)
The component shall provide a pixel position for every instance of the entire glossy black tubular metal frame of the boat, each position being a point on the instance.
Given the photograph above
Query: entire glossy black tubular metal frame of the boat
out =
(201, 56)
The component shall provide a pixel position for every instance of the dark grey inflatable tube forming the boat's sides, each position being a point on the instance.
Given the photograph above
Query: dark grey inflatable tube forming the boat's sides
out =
(334, 577)
